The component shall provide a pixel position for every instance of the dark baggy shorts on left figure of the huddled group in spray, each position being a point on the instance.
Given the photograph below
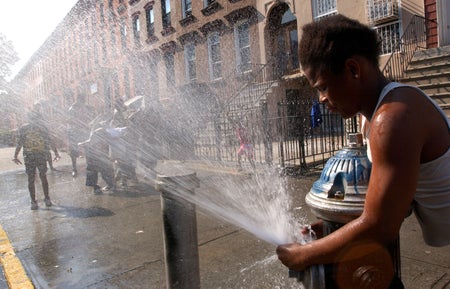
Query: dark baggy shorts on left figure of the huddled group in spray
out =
(94, 167)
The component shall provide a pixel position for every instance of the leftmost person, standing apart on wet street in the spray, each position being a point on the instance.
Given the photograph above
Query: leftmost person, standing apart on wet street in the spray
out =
(35, 140)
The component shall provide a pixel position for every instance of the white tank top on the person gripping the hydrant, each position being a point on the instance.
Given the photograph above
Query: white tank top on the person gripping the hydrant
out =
(432, 197)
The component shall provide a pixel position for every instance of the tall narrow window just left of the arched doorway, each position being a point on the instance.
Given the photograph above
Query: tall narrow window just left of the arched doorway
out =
(242, 39)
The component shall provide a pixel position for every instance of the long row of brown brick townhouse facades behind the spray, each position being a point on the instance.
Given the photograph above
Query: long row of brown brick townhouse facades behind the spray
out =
(206, 54)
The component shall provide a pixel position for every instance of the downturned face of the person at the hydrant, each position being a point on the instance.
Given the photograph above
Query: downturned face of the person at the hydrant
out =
(335, 90)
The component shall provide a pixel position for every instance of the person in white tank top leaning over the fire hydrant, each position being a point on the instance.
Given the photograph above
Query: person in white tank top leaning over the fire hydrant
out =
(409, 152)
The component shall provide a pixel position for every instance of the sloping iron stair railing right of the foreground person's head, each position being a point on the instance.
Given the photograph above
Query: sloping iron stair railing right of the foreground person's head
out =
(413, 39)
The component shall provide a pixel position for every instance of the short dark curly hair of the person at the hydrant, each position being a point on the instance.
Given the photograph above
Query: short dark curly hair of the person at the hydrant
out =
(327, 43)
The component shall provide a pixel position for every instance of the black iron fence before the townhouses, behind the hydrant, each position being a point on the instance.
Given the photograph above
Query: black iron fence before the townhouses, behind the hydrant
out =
(288, 139)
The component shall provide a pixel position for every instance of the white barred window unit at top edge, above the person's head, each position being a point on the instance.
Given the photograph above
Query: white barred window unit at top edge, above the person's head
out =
(382, 11)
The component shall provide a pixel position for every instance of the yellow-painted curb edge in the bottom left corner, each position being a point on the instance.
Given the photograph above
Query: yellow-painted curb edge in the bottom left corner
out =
(15, 274)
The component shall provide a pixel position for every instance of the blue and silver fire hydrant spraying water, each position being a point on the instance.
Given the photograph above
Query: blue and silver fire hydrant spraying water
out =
(337, 198)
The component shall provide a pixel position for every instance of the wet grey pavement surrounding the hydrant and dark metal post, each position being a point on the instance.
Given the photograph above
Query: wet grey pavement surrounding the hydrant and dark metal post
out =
(115, 240)
